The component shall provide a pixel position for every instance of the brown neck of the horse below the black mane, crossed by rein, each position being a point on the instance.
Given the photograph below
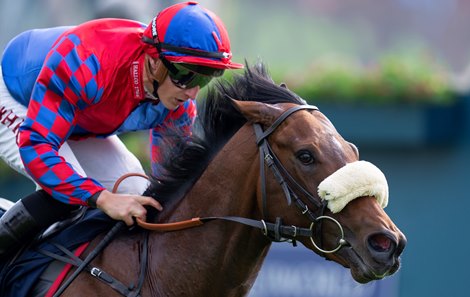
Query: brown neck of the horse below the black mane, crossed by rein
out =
(219, 258)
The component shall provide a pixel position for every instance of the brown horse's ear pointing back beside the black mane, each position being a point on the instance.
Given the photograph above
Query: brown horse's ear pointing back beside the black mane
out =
(257, 112)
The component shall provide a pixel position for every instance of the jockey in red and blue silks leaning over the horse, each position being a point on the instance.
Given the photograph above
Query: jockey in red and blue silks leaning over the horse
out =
(66, 92)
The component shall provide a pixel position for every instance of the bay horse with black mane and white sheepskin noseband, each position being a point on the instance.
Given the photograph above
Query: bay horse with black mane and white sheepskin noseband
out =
(253, 168)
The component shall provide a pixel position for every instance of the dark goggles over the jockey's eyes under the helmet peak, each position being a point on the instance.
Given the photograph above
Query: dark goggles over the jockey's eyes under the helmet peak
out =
(188, 76)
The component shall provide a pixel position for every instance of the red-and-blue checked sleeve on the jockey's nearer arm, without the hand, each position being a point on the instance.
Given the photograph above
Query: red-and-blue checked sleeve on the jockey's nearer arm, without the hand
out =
(67, 84)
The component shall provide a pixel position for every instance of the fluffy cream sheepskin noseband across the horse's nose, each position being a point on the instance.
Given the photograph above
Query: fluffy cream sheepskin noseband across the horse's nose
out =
(356, 179)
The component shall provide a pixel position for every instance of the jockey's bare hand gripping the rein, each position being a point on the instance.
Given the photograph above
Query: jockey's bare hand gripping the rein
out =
(124, 207)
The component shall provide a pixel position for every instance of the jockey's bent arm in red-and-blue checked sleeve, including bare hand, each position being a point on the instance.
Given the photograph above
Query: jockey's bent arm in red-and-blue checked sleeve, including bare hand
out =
(49, 123)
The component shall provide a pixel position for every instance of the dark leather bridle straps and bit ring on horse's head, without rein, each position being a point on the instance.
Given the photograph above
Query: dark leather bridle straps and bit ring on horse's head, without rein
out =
(286, 181)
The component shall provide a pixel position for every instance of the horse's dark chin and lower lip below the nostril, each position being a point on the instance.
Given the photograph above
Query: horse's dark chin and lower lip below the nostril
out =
(362, 271)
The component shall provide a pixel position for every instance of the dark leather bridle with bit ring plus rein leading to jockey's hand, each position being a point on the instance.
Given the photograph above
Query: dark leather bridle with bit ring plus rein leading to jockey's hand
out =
(274, 231)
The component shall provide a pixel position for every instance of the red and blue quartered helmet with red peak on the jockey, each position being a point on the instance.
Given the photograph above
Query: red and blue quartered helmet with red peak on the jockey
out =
(188, 33)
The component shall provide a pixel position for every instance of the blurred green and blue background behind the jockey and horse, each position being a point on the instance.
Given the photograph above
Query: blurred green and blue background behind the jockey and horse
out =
(393, 77)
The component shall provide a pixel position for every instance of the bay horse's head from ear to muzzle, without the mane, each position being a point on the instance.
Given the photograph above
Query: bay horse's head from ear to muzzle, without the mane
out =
(318, 181)
